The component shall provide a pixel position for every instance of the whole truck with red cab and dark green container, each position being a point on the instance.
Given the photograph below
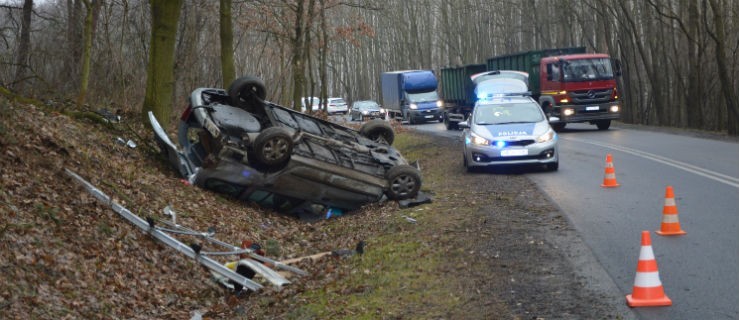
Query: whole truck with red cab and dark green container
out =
(569, 84)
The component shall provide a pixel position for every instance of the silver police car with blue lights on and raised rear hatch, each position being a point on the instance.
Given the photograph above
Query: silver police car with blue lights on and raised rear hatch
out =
(508, 129)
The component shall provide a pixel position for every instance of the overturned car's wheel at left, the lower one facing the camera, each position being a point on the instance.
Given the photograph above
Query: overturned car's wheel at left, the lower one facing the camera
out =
(273, 148)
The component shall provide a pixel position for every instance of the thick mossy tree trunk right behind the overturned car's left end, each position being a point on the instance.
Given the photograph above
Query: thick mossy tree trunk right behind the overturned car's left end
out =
(160, 70)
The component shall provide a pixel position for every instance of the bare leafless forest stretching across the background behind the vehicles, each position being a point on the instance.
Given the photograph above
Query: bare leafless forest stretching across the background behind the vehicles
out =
(680, 57)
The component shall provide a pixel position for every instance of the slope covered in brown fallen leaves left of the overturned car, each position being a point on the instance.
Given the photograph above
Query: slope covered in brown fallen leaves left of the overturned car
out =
(64, 254)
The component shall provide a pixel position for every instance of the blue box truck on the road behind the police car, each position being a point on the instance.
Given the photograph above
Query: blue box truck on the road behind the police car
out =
(410, 95)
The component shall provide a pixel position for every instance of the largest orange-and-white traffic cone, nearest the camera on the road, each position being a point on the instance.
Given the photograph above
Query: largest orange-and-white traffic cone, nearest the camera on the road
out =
(648, 290)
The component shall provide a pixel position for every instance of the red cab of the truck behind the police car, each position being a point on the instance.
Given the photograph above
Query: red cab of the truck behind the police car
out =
(579, 88)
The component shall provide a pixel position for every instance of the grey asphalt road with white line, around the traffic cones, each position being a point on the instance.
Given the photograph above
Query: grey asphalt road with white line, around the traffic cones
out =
(699, 271)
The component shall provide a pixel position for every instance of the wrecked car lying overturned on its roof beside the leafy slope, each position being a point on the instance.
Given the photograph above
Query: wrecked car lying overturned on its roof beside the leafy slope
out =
(234, 142)
